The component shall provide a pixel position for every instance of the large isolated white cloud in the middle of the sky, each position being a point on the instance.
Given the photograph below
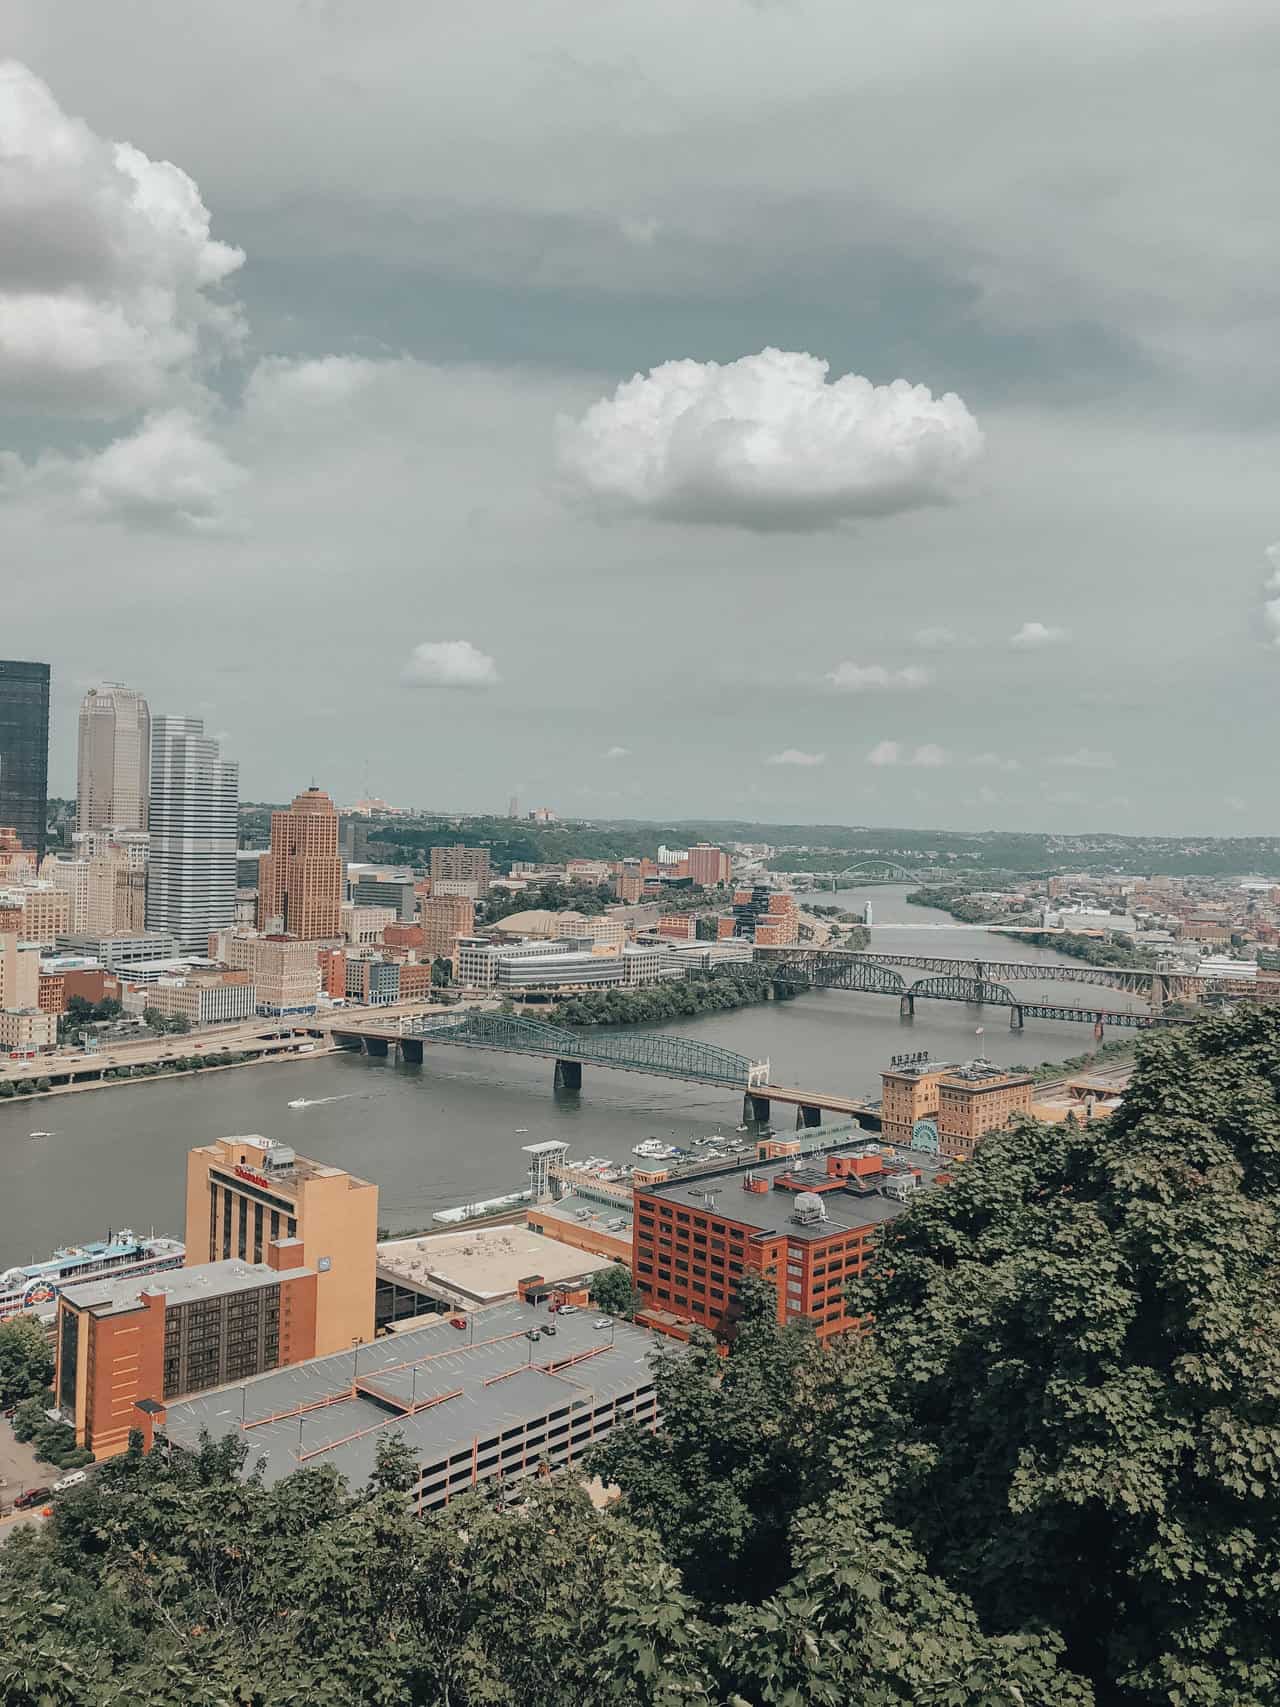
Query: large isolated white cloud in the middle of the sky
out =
(767, 443)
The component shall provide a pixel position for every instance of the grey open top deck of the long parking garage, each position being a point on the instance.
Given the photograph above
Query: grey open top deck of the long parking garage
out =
(484, 1380)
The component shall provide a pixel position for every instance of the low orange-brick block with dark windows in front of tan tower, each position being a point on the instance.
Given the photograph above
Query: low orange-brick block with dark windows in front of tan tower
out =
(124, 1343)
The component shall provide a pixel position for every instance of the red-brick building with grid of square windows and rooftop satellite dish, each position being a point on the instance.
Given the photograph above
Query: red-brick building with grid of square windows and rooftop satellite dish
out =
(806, 1221)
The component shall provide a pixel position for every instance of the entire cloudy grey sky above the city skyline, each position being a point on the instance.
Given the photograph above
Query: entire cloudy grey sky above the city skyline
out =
(765, 409)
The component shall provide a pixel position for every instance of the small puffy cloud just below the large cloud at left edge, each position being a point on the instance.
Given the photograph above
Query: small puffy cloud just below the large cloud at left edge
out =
(168, 474)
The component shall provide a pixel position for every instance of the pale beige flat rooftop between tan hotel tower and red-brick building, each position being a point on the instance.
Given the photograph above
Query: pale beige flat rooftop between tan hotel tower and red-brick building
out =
(486, 1264)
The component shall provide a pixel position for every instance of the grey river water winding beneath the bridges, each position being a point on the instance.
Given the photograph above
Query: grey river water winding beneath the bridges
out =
(451, 1131)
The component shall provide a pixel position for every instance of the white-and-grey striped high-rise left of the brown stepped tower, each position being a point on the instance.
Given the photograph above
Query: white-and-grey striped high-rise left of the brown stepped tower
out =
(194, 829)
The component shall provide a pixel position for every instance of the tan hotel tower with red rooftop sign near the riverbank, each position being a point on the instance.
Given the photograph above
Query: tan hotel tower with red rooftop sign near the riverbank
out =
(247, 1194)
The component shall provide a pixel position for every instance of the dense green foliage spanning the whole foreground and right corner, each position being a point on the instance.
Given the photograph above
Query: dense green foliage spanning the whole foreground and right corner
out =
(1049, 1479)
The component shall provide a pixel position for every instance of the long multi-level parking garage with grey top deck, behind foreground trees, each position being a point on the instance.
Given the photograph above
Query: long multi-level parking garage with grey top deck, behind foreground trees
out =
(486, 1406)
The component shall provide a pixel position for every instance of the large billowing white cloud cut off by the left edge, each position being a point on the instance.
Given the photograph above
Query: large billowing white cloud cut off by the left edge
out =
(107, 265)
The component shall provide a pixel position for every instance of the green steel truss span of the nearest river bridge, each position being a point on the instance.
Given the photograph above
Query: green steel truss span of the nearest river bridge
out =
(651, 1052)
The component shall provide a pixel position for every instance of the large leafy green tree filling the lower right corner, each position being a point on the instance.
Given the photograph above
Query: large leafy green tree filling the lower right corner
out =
(1079, 1360)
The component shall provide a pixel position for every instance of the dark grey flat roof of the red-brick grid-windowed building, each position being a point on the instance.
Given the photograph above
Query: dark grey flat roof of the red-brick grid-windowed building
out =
(772, 1211)
